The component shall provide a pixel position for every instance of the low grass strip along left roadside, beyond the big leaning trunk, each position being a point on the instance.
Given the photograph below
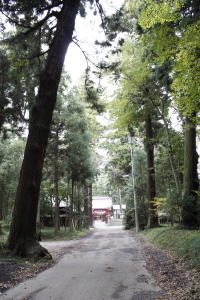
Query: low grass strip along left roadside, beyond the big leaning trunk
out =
(48, 234)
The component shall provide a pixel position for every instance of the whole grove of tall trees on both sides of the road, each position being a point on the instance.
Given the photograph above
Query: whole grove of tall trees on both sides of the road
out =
(144, 86)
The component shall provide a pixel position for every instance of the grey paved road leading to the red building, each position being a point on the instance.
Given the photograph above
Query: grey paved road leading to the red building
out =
(107, 265)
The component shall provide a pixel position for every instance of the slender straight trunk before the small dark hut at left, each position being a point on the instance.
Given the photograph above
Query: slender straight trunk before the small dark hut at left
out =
(56, 181)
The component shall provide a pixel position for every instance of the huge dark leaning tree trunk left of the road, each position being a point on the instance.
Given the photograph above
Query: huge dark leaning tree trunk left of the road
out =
(22, 239)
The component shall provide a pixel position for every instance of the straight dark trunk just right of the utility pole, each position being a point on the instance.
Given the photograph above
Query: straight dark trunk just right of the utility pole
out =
(151, 187)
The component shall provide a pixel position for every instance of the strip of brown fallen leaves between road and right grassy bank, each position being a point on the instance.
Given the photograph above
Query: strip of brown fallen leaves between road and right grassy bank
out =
(171, 274)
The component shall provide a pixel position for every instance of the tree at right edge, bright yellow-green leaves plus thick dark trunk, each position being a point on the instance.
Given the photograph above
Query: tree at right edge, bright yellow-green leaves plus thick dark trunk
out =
(160, 22)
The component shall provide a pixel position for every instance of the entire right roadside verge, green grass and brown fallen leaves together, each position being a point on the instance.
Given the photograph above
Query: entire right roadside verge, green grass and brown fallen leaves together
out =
(173, 257)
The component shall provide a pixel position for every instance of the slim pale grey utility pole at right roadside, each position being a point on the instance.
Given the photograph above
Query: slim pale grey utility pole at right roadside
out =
(130, 141)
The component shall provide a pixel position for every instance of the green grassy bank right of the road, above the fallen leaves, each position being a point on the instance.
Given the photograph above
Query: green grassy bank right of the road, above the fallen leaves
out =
(185, 243)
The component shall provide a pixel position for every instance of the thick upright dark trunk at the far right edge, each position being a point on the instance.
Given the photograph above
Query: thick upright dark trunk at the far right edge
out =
(190, 180)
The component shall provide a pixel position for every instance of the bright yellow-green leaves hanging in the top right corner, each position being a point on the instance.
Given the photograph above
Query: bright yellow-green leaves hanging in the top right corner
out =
(173, 35)
